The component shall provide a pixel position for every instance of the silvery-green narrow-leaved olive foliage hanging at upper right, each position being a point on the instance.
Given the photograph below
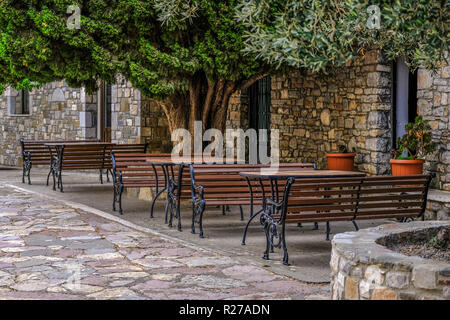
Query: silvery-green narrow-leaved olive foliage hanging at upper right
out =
(320, 34)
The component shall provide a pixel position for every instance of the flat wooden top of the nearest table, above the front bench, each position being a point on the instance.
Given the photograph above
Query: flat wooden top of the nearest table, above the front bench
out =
(303, 174)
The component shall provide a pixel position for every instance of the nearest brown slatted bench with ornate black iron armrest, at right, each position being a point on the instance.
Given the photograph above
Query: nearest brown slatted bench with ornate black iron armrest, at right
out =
(343, 199)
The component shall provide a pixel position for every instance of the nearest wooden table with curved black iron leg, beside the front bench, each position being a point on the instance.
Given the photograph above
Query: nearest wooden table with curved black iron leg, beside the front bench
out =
(290, 176)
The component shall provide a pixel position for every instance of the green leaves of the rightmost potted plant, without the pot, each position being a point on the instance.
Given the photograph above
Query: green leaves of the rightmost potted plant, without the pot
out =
(417, 141)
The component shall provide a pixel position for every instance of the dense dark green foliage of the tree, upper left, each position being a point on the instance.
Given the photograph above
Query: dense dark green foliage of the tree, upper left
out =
(159, 45)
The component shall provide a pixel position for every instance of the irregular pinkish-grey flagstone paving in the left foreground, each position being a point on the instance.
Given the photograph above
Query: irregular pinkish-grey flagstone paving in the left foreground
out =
(49, 250)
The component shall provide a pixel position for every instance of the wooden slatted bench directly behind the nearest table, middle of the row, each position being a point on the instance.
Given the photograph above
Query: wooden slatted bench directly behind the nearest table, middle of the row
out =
(221, 184)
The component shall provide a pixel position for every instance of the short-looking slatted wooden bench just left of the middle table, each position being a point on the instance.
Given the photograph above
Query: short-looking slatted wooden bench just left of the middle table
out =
(131, 170)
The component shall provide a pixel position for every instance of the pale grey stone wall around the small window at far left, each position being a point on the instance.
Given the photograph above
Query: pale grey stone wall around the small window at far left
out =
(56, 112)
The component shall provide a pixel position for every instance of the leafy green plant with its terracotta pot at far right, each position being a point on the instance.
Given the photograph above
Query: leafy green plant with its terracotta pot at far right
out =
(416, 143)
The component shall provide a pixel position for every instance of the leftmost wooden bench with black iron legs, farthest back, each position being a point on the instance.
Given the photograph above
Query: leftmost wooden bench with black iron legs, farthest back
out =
(34, 152)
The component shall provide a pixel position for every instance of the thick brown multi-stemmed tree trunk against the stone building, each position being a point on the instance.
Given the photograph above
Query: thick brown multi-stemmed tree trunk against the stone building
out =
(206, 101)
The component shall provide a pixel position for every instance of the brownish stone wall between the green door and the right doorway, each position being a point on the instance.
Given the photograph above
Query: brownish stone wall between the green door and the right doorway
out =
(317, 113)
